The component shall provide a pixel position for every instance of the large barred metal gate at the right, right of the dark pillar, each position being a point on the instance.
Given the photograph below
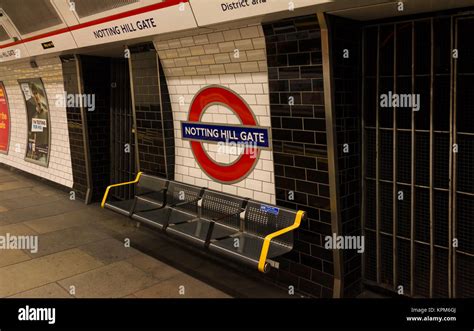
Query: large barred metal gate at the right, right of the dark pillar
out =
(418, 191)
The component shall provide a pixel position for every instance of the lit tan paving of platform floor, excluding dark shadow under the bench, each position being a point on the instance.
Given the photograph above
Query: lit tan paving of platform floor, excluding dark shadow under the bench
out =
(80, 254)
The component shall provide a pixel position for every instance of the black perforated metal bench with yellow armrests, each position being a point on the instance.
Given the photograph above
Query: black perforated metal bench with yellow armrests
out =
(237, 228)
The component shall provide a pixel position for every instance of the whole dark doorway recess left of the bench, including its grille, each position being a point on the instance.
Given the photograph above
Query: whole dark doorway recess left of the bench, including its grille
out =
(110, 124)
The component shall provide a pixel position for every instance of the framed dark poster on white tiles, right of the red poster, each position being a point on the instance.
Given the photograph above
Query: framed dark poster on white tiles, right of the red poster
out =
(38, 122)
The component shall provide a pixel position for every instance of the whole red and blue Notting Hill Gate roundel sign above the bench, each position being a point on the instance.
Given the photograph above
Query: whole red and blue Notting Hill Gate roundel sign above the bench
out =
(248, 135)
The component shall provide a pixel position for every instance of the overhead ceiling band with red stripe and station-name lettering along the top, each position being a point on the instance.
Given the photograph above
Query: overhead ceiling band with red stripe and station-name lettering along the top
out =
(42, 27)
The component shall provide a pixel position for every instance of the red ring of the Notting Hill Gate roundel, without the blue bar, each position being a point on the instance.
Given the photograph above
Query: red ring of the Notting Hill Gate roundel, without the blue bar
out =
(245, 163)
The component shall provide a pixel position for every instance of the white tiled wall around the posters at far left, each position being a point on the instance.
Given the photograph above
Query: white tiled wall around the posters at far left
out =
(50, 71)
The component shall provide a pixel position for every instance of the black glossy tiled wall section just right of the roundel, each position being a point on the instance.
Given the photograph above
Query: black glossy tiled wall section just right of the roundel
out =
(300, 149)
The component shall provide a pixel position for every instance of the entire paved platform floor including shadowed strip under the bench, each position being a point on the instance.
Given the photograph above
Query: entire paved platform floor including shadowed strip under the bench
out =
(81, 253)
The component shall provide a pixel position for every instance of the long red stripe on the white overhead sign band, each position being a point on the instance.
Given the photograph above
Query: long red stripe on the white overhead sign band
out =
(129, 13)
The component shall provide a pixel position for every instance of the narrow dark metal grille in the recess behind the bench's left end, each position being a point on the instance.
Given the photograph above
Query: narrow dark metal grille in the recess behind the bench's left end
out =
(122, 144)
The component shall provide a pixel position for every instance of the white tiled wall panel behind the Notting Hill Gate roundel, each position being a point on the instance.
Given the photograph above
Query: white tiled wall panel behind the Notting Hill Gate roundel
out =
(194, 62)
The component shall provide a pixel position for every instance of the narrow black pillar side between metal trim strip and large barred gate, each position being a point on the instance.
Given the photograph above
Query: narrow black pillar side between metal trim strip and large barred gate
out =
(346, 56)
